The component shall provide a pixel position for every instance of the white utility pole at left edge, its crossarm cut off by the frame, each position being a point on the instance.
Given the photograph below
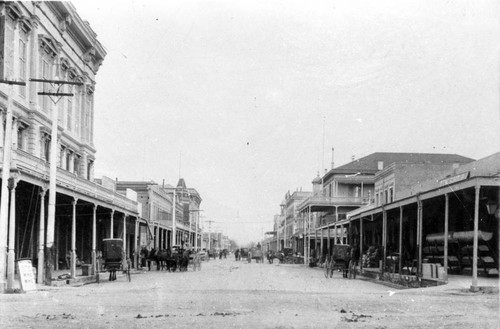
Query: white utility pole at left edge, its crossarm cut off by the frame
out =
(4, 203)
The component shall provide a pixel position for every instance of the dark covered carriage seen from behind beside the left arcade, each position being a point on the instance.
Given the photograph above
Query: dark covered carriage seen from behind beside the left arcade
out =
(114, 258)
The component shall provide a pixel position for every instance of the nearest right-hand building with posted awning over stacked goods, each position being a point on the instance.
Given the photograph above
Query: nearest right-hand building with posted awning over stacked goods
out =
(444, 214)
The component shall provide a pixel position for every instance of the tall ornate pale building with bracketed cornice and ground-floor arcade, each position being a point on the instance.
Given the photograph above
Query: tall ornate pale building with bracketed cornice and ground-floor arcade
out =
(49, 41)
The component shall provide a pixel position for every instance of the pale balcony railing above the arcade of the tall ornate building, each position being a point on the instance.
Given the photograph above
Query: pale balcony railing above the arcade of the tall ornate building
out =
(38, 168)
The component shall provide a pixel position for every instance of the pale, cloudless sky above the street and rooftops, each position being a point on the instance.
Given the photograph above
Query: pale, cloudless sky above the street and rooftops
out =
(246, 99)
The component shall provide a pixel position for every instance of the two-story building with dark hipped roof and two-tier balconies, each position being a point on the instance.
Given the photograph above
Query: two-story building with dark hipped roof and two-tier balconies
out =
(348, 187)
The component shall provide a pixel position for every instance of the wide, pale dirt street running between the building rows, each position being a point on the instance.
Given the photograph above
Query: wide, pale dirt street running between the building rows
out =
(230, 294)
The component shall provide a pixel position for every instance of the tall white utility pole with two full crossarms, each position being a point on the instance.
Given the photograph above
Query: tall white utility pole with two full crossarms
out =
(49, 246)
